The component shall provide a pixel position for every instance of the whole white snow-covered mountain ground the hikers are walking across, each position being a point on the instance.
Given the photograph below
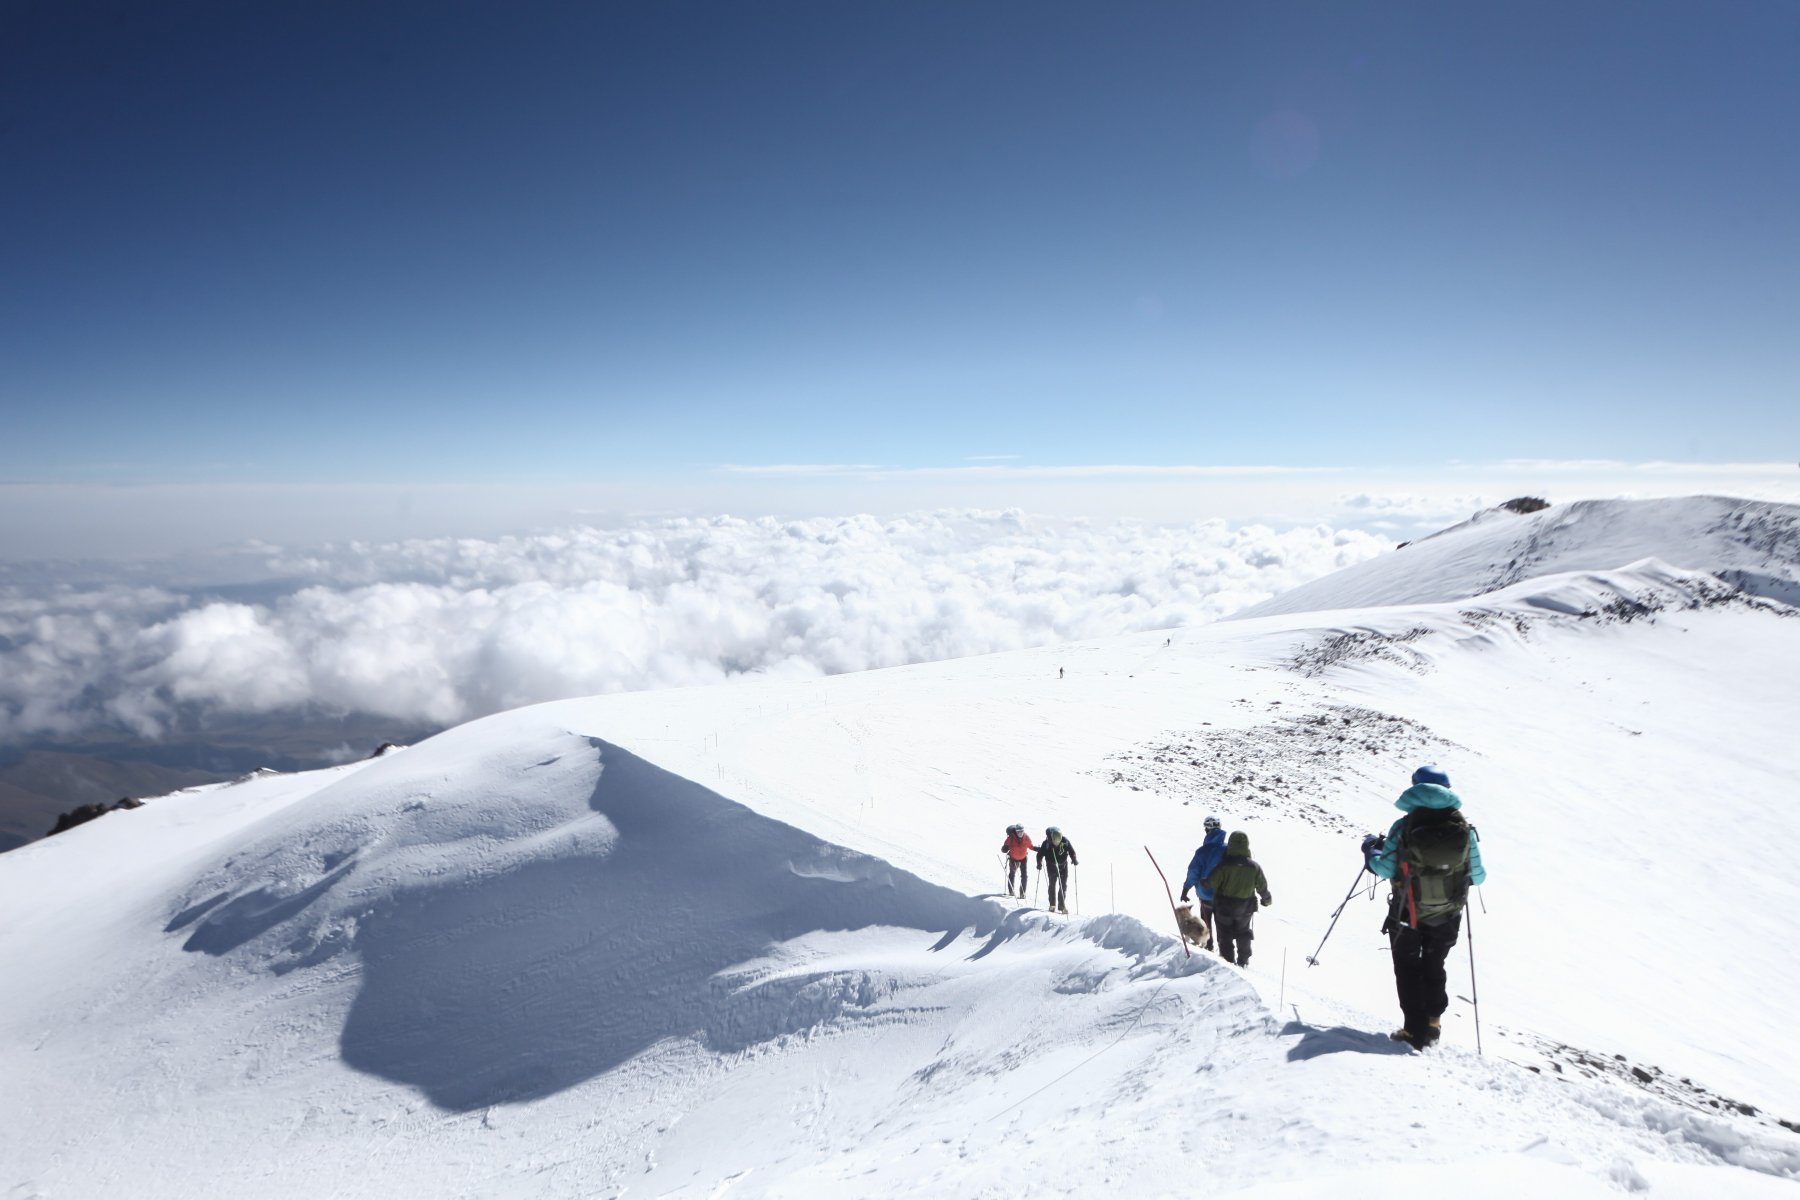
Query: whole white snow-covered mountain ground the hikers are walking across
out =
(746, 942)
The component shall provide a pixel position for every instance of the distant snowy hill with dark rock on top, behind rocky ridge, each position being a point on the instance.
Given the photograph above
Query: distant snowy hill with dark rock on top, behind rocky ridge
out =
(1752, 544)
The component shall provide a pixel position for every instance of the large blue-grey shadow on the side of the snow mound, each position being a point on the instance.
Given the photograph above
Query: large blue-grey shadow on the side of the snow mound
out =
(525, 983)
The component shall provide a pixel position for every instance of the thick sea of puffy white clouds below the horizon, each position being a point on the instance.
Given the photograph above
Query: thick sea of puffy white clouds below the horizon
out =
(449, 629)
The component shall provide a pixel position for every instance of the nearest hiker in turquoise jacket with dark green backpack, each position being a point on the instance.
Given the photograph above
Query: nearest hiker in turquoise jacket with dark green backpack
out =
(1432, 855)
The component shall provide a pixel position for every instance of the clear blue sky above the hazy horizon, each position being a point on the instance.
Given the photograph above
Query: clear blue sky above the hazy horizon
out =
(508, 242)
